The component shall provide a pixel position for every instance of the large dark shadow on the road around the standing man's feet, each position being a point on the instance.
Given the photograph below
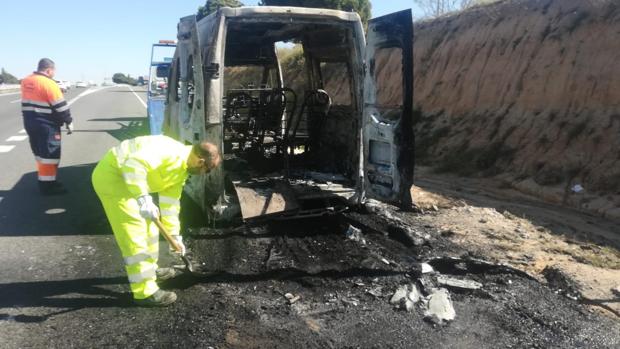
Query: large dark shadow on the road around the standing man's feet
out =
(25, 212)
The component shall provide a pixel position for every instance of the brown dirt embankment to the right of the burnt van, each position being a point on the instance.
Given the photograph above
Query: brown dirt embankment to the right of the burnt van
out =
(526, 90)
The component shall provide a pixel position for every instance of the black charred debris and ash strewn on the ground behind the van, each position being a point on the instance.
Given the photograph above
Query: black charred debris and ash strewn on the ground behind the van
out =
(380, 266)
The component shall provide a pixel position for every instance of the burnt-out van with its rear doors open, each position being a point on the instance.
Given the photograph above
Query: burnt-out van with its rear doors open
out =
(300, 145)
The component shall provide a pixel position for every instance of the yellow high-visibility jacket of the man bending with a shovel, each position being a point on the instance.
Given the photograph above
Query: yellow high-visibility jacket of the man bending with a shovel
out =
(155, 164)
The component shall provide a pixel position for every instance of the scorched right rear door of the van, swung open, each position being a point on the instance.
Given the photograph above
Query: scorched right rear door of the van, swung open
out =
(388, 105)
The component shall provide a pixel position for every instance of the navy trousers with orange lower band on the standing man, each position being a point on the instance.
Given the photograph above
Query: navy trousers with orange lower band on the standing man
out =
(44, 139)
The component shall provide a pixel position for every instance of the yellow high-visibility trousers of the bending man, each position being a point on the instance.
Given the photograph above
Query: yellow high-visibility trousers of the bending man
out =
(137, 239)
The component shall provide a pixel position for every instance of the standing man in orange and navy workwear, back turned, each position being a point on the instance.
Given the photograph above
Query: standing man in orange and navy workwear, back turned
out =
(45, 111)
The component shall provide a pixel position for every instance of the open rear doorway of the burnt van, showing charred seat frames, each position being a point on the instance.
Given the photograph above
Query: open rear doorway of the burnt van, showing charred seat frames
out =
(276, 116)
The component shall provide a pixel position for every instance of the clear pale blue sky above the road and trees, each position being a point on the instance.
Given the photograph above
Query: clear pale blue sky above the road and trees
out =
(90, 40)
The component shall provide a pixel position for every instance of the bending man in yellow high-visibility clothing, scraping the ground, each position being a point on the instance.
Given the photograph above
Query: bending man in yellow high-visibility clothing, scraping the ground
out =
(124, 180)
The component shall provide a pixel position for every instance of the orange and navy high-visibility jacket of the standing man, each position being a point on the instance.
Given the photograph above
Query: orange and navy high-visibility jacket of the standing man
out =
(42, 99)
